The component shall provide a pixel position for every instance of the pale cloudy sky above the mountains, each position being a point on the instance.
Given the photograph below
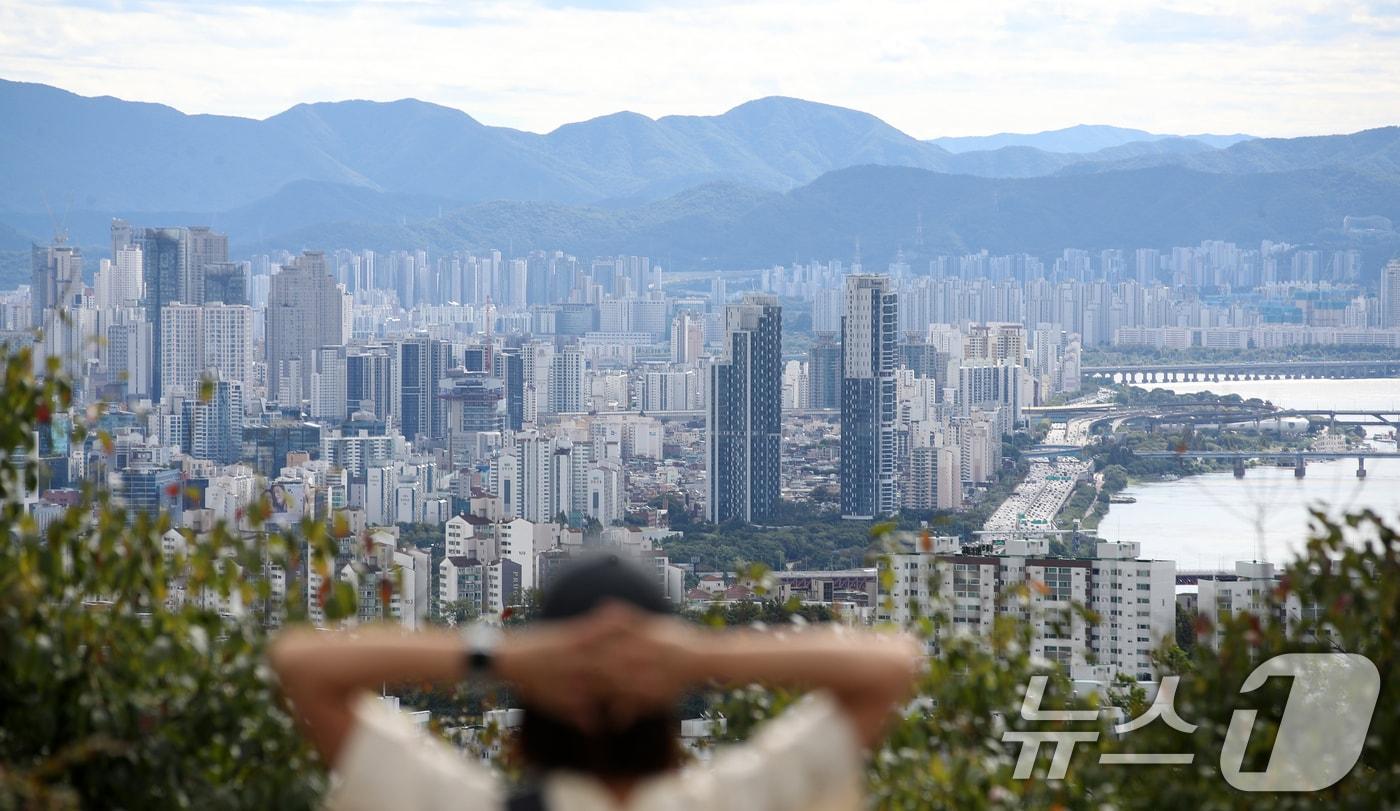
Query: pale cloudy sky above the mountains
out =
(929, 68)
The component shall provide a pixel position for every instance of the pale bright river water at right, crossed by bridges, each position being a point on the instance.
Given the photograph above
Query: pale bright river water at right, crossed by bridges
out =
(1213, 520)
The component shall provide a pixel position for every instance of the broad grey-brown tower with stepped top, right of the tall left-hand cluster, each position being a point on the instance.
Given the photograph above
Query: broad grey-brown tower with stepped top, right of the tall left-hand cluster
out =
(306, 312)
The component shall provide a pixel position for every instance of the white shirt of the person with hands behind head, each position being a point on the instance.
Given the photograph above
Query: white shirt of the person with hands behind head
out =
(806, 760)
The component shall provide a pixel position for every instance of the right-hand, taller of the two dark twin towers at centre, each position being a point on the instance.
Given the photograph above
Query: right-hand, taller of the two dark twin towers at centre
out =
(870, 356)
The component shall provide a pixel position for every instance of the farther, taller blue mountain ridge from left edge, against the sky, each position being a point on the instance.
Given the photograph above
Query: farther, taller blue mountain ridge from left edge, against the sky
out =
(101, 153)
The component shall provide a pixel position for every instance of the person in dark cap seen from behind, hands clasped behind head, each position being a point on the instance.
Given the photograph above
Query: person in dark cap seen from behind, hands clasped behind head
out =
(600, 677)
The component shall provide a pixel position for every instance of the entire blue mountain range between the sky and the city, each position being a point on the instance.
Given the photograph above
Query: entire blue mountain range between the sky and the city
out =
(768, 181)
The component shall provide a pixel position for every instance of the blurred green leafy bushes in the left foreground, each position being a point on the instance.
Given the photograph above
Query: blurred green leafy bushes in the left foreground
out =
(128, 679)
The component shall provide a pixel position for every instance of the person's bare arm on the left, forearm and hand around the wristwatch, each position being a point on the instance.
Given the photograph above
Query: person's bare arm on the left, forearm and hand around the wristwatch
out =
(324, 673)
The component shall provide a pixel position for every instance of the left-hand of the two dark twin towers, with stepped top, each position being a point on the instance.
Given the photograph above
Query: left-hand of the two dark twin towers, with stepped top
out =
(744, 418)
